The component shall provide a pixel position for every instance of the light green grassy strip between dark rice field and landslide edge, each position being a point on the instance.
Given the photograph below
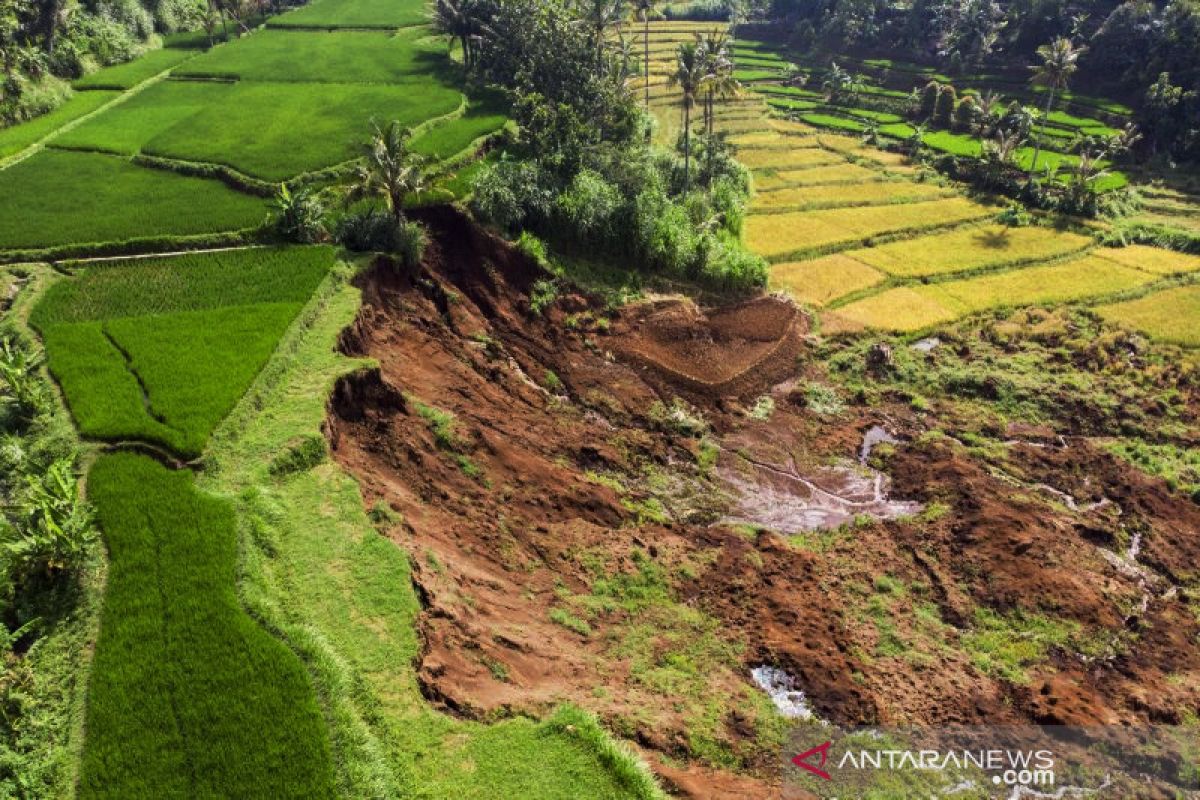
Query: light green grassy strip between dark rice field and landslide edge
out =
(344, 592)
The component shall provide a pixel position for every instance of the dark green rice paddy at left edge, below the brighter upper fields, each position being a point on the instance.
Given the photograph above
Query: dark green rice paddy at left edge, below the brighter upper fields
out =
(62, 199)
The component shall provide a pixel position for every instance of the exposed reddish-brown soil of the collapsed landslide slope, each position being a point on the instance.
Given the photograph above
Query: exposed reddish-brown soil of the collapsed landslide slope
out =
(503, 519)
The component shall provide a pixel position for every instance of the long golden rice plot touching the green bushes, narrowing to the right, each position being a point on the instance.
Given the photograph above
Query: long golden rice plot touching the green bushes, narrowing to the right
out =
(778, 236)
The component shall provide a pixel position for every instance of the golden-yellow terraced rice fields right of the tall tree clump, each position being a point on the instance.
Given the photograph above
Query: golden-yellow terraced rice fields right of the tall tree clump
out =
(819, 191)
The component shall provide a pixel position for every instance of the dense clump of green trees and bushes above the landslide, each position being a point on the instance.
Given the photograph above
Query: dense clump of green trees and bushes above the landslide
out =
(583, 173)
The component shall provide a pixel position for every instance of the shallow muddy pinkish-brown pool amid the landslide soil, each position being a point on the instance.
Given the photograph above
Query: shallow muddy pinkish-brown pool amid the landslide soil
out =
(790, 501)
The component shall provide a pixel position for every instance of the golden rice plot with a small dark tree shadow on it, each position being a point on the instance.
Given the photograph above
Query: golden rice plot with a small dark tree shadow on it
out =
(971, 249)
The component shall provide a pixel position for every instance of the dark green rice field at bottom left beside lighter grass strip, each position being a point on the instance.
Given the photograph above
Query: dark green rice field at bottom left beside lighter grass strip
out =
(189, 697)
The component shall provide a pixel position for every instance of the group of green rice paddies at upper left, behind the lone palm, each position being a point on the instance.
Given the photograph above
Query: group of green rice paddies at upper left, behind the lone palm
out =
(273, 105)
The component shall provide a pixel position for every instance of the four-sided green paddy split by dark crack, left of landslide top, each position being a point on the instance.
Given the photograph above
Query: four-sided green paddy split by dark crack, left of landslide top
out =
(161, 350)
